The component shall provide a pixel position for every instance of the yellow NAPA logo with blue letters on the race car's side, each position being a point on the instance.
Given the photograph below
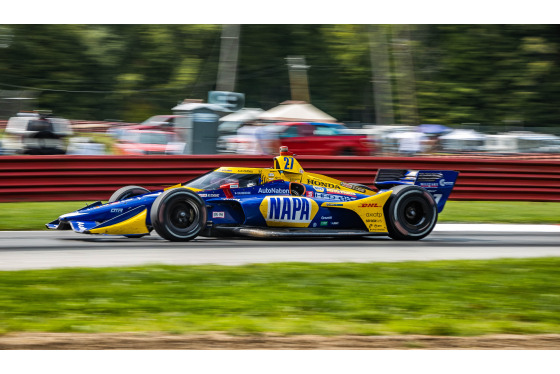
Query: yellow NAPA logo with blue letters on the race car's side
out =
(288, 211)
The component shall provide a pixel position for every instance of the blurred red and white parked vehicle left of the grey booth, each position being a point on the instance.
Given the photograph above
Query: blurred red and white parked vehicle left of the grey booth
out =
(149, 142)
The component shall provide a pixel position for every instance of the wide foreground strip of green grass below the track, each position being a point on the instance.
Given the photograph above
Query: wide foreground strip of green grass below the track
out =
(463, 298)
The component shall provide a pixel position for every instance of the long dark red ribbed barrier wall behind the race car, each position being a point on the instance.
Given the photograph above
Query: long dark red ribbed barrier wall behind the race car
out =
(89, 178)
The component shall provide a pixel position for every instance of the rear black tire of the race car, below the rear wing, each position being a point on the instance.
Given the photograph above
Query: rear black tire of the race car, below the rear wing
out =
(410, 213)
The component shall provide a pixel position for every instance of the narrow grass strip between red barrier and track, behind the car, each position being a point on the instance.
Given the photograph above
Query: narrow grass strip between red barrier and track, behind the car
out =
(33, 216)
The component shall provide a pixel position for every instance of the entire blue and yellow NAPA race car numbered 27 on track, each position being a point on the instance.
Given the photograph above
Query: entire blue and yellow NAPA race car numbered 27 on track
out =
(283, 201)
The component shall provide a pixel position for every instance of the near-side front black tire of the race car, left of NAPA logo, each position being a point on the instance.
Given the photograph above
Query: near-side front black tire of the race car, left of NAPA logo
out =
(178, 215)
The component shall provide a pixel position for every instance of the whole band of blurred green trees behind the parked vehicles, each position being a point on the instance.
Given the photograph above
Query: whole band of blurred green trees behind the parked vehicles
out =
(483, 74)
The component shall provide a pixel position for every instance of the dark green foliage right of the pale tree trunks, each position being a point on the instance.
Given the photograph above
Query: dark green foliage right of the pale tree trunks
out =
(487, 74)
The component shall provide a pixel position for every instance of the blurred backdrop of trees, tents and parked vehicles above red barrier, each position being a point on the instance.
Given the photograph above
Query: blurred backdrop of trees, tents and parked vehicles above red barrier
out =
(320, 89)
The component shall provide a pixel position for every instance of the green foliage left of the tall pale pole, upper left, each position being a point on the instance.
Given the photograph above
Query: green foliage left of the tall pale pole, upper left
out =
(109, 71)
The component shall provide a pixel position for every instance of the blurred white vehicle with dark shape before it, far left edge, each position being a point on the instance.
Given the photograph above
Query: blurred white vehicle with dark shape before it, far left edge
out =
(34, 133)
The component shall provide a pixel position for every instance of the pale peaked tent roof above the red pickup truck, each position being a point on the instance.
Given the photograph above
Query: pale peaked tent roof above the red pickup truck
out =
(296, 111)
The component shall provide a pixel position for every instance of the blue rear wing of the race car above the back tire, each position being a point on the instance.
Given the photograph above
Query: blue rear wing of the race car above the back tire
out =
(438, 182)
